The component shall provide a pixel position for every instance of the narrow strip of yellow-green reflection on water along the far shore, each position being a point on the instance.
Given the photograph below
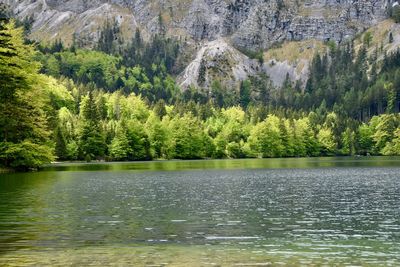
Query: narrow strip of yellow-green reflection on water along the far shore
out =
(293, 162)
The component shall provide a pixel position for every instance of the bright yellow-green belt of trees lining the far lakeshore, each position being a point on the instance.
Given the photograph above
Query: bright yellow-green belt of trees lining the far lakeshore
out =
(131, 129)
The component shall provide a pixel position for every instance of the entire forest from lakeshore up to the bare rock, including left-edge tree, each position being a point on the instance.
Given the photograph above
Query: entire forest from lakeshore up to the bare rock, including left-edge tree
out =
(120, 103)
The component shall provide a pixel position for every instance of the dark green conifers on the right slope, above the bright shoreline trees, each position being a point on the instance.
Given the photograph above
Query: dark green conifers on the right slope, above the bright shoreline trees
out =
(340, 79)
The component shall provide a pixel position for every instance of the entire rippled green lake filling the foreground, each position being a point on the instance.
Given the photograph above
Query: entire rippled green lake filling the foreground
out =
(276, 212)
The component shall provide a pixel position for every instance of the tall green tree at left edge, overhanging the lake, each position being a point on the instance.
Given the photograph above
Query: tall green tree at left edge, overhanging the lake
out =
(24, 137)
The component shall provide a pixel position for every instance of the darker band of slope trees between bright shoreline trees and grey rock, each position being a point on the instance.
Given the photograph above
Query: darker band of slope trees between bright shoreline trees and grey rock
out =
(340, 79)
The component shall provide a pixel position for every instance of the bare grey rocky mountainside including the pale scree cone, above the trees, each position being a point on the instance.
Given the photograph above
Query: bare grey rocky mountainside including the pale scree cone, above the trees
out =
(221, 34)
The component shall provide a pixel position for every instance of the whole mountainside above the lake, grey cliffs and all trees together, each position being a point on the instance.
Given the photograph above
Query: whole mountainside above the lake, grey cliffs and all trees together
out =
(142, 80)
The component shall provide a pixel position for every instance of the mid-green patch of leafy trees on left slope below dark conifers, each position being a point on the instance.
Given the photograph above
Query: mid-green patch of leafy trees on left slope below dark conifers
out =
(110, 73)
